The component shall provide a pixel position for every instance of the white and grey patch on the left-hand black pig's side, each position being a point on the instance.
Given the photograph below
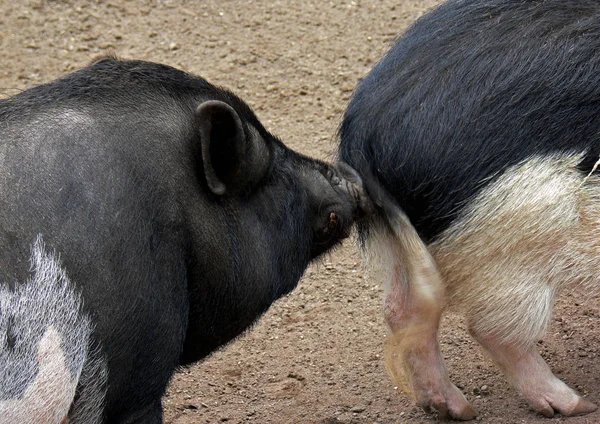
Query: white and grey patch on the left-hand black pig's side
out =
(48, 371)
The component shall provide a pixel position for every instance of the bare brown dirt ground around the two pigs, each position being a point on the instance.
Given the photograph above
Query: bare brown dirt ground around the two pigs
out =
(316, 356)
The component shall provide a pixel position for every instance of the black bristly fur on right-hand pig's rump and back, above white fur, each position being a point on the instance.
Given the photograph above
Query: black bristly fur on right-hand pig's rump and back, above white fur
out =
(470, 89)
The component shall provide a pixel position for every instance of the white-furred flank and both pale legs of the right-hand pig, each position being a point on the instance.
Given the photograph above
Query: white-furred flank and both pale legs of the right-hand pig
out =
(526, 235)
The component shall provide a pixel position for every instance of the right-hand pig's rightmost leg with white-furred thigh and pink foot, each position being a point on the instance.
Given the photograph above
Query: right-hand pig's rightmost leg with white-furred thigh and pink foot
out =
(518, 242)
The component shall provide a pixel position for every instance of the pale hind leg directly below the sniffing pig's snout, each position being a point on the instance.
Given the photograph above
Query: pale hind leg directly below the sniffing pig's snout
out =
(413, 304)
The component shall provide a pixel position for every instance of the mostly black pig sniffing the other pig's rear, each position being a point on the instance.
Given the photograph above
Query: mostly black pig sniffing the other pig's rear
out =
(177, 217)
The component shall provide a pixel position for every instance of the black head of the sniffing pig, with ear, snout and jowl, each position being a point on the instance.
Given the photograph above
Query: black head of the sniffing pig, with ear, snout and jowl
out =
(268, 211)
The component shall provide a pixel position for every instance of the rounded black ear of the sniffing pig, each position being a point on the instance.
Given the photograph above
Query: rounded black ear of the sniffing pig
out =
(233, 160)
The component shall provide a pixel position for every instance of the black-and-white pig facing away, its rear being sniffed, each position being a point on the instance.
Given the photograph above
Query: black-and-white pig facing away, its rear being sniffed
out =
(478, 137)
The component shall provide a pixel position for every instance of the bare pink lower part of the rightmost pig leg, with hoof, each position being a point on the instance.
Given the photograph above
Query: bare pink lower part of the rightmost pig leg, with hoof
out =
(527, 371)
